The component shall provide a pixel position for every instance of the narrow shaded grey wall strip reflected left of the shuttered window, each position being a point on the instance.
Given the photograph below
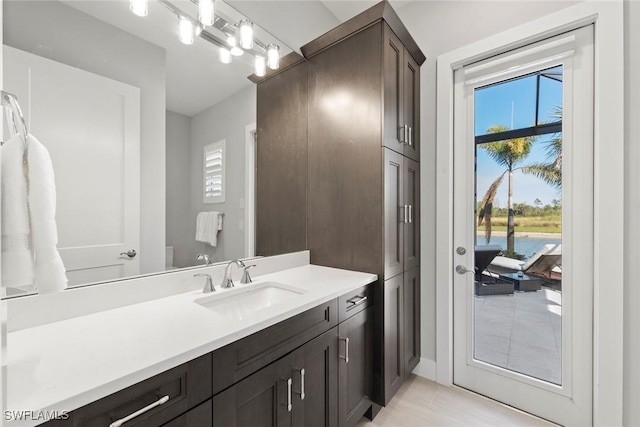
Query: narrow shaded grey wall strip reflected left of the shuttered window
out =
(178, 183)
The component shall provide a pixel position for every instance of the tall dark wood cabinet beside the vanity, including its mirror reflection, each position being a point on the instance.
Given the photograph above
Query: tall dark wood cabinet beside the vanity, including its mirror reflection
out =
(362, 173)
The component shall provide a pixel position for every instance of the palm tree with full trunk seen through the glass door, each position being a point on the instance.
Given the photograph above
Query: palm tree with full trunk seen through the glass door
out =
(508, 153)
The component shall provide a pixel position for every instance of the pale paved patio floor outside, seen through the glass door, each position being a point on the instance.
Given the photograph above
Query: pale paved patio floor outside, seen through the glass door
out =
(521, 332)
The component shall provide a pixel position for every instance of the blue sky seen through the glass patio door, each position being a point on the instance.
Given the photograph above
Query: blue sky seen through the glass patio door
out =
(499, 105)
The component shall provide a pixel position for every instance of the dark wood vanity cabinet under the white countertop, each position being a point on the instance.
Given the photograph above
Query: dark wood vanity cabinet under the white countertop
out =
(311, 370)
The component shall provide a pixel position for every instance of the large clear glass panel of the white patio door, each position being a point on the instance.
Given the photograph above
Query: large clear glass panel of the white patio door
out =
(518, 286)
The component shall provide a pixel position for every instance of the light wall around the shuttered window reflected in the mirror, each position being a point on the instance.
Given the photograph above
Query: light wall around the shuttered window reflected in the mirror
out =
(226, 120)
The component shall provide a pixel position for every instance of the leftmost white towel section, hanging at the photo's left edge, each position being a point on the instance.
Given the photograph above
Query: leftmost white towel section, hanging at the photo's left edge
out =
(17, 258)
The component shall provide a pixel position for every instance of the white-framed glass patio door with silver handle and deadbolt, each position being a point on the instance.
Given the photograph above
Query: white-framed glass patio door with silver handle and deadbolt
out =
(523, 220)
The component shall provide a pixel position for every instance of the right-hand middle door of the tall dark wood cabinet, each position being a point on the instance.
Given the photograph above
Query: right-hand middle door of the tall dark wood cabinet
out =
(411, 186)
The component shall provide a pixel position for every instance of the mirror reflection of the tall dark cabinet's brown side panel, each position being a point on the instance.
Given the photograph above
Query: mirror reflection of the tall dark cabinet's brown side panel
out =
(281, 162)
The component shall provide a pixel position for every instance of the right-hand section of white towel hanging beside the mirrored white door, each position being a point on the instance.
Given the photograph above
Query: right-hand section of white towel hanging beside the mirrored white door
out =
(50, 274)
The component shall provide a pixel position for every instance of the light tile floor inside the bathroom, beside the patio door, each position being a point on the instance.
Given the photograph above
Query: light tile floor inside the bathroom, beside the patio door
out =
(422, 403)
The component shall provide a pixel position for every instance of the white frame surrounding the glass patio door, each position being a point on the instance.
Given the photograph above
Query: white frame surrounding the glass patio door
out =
(607, 18)
